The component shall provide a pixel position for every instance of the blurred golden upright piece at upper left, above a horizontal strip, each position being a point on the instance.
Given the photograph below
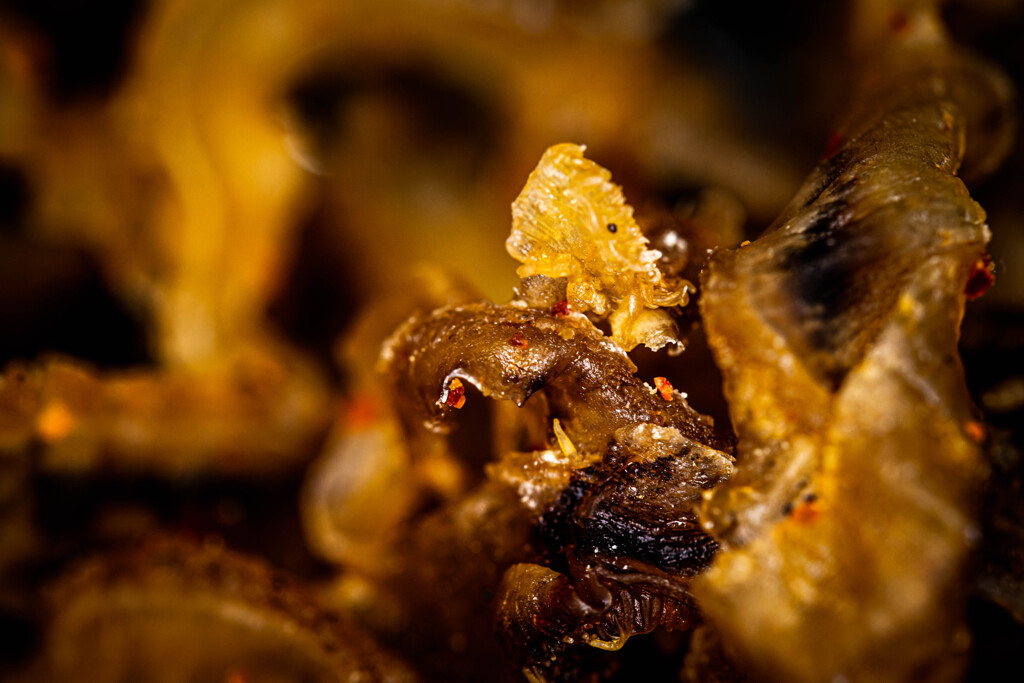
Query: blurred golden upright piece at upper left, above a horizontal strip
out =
(181, 182)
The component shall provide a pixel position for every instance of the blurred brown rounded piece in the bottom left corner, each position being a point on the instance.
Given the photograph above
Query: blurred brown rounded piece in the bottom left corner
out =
(172, 611)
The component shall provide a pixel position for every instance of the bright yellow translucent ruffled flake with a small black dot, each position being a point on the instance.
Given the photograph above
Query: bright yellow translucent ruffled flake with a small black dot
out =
(572, 222)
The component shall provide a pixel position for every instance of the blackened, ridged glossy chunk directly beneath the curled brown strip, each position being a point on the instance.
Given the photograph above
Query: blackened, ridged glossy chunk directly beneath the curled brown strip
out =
(623, 543)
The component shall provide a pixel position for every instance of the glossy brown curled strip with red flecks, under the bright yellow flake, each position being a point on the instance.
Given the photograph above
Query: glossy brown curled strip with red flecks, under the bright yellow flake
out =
(588, 380)
